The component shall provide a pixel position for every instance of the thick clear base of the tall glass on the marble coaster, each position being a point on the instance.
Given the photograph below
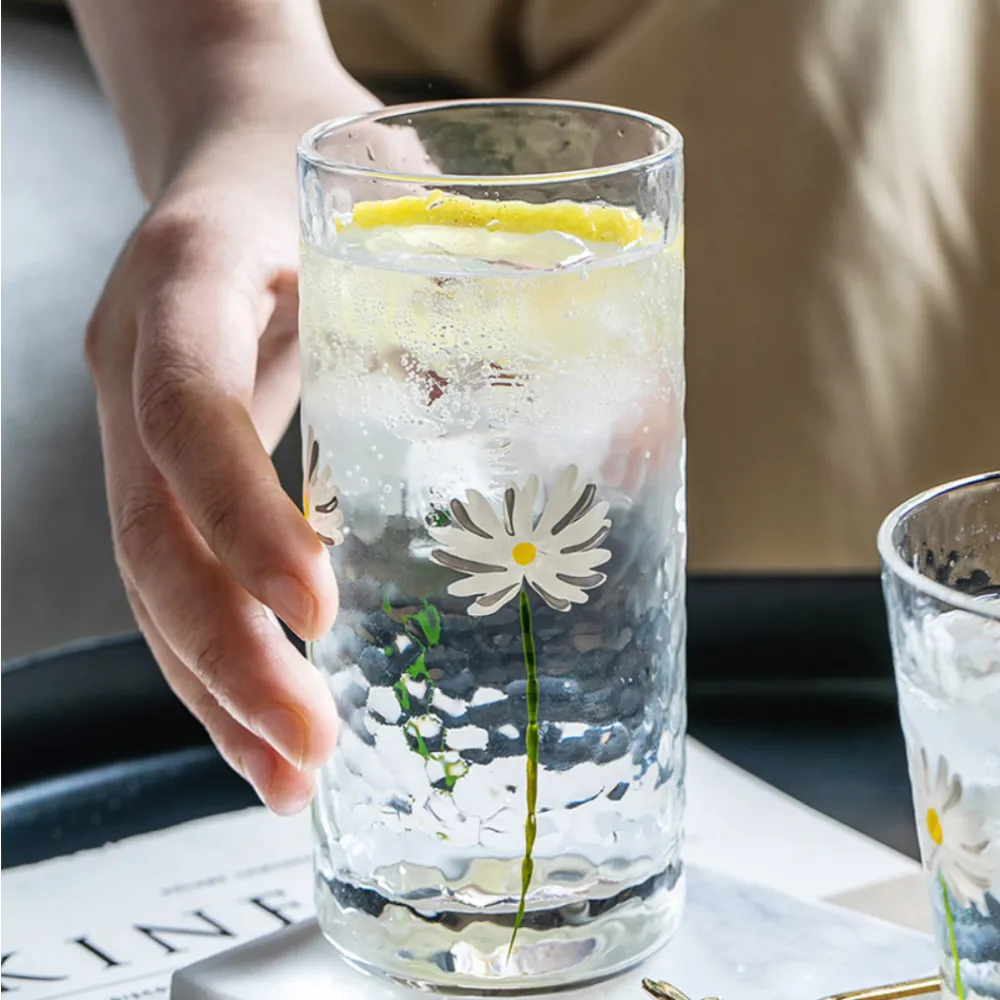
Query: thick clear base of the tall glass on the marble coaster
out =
(465, 951)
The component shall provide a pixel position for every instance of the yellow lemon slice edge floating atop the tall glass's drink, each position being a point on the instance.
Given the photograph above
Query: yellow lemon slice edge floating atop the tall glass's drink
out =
(594, 223)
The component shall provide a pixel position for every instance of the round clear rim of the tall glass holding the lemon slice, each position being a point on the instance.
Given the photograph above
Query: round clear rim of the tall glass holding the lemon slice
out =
(308, 144)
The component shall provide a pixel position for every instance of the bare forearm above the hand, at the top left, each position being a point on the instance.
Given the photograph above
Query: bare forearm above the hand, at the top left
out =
(174, 70)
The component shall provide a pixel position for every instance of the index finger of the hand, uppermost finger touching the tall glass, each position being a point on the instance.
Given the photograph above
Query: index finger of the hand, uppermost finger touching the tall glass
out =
(196, 357)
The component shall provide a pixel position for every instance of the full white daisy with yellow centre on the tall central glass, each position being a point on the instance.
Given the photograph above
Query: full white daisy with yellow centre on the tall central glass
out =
(557, 557)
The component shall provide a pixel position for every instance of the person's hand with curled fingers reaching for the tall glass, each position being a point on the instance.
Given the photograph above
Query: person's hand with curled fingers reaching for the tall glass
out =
(193, 352)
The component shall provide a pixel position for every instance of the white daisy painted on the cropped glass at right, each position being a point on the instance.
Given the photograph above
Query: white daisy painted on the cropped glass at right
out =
(952, 839)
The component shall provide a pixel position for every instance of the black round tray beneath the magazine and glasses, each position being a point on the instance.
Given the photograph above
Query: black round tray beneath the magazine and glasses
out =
(789, 677)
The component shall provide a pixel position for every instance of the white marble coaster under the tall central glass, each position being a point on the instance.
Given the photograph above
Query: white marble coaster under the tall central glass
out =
(737, 940)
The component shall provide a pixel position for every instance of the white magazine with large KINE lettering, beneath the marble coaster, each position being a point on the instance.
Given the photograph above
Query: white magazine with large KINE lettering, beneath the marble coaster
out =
(114, 923)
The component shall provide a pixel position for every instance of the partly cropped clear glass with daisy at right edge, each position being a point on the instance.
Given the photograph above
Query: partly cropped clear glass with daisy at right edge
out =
(941, 575)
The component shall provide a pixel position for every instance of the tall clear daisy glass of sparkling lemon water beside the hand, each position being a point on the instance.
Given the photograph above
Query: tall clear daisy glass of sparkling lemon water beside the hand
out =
(492, 335)
